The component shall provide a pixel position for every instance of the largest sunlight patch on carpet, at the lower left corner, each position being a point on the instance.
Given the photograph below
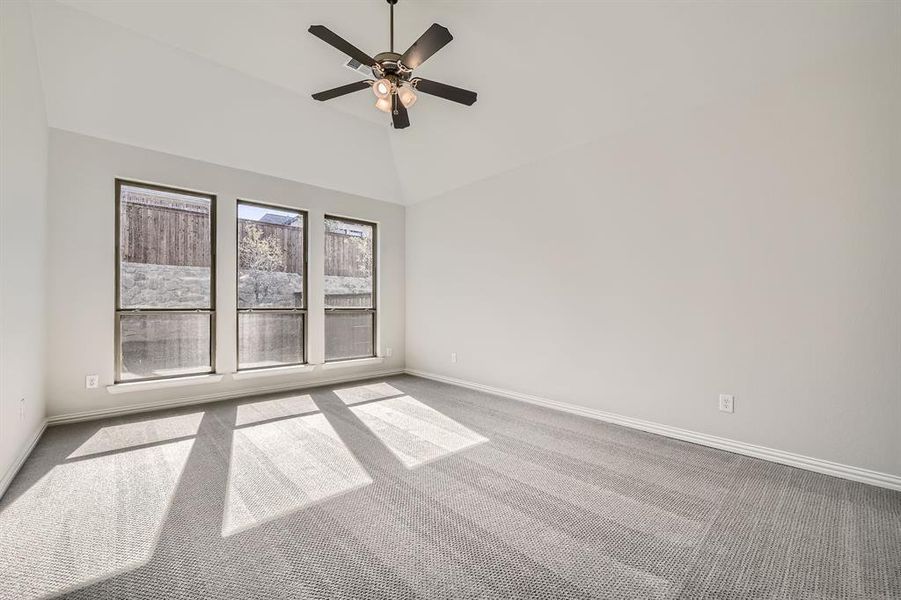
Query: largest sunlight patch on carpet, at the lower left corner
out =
(88, 520)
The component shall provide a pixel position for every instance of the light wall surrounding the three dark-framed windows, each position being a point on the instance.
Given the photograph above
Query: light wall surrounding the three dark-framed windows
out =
(82, 267)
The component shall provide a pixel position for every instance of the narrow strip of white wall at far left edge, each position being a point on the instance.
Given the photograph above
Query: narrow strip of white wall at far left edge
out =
(23, 210)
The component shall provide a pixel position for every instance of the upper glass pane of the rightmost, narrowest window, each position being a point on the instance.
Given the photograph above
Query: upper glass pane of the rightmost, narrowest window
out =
(348, 263)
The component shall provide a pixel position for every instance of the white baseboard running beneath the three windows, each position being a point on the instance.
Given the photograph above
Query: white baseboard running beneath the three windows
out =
(102, 413)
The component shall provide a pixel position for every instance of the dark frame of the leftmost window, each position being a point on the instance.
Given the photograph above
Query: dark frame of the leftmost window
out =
(119, 311)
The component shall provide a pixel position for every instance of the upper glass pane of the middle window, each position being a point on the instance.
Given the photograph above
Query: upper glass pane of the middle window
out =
(270, 257)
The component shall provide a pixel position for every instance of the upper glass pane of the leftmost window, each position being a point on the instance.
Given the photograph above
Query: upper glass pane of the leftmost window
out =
(165, 249)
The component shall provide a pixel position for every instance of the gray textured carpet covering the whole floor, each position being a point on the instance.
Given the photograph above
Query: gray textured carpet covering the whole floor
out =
(406, 488)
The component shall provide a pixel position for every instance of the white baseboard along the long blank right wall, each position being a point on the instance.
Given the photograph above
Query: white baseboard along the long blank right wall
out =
(826, 467)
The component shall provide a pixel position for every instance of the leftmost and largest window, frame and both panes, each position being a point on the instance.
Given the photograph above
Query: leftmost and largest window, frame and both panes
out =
(165, 282)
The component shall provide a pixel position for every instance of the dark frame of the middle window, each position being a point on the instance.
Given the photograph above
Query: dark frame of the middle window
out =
(303, 311)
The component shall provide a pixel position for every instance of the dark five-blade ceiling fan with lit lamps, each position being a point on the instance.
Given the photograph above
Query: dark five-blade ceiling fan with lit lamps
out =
(394, 84)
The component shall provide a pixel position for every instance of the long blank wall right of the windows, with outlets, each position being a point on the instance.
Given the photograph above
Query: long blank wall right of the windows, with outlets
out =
(750, 247)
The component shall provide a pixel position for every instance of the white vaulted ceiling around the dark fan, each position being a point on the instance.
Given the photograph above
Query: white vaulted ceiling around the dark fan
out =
(229, 82)
